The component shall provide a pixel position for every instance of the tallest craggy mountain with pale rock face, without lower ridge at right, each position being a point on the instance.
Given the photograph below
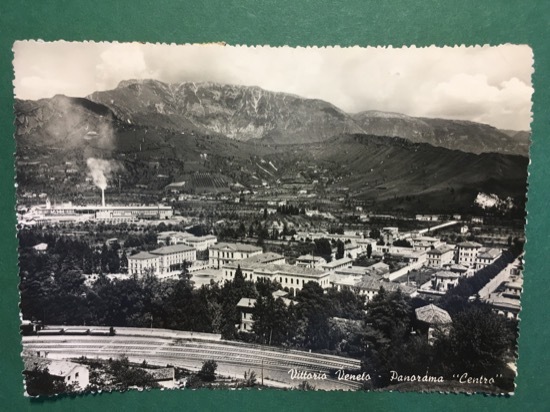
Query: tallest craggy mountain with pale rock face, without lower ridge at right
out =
(238, 112)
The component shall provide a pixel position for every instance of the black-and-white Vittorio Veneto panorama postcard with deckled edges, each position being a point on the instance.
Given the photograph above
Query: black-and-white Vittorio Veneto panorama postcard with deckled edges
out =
(214, 216)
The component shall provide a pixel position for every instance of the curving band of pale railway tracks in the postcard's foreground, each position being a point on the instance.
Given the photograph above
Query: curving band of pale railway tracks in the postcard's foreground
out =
(177, 351)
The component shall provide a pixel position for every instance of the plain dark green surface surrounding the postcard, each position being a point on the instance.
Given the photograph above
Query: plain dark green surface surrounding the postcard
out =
(294, 23)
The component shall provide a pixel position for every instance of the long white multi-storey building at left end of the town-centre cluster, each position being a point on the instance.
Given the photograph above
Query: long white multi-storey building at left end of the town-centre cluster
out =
(162, 260)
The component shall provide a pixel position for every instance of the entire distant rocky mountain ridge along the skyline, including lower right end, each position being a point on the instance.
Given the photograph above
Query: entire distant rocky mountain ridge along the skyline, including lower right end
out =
(250, 112)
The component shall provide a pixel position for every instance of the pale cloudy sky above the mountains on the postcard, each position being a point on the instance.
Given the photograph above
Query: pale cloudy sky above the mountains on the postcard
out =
(487, 84)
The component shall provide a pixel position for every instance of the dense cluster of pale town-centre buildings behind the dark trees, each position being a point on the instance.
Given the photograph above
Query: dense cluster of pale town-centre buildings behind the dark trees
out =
(446, 263)
